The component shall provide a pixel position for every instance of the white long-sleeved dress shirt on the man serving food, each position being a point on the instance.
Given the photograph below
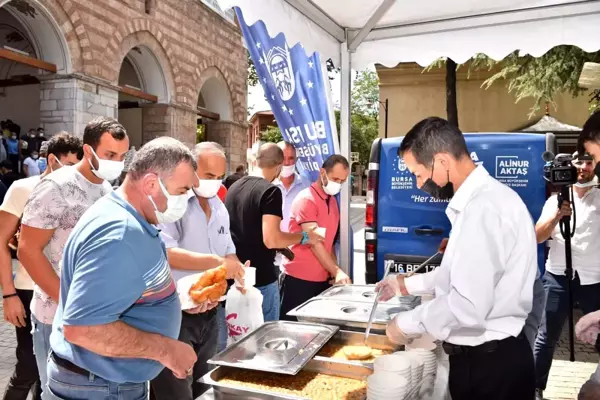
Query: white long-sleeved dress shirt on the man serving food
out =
(484, 285)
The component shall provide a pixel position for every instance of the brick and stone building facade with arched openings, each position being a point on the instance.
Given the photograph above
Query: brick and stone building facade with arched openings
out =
(192, 44)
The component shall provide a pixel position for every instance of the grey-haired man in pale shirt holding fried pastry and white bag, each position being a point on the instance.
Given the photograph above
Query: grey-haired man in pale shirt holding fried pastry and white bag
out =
(199, 241)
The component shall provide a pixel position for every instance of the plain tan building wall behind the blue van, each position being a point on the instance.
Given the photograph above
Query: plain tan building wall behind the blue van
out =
(414, 95)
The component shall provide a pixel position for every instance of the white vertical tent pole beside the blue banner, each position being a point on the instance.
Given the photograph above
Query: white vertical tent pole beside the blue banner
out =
(346, 82)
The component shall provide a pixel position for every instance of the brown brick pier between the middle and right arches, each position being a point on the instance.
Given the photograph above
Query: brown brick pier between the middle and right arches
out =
(168, 120)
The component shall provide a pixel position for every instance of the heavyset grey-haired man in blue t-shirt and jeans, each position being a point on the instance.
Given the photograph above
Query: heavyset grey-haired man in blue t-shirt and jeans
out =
(119, 314)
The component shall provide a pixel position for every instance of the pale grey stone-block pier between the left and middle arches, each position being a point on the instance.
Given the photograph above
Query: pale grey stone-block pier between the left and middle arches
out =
(69, 102)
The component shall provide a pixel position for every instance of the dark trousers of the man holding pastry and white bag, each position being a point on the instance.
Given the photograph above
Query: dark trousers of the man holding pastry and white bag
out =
(200, 331)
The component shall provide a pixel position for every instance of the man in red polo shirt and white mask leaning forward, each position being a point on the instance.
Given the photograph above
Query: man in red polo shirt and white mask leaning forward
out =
(314, 267)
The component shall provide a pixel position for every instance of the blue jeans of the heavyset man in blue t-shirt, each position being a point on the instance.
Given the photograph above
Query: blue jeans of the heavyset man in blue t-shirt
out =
(66, 385)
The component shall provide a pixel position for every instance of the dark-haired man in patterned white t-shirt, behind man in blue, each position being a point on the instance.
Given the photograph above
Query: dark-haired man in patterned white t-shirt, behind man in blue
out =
(53, 209)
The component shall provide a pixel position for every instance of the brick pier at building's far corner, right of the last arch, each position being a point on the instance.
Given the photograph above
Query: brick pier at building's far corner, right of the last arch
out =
(233, 137)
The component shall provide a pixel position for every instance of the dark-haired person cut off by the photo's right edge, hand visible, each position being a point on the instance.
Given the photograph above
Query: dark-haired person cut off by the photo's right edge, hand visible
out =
(588, 327)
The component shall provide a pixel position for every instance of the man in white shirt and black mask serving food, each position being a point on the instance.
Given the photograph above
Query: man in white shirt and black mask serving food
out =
(484, 285)
